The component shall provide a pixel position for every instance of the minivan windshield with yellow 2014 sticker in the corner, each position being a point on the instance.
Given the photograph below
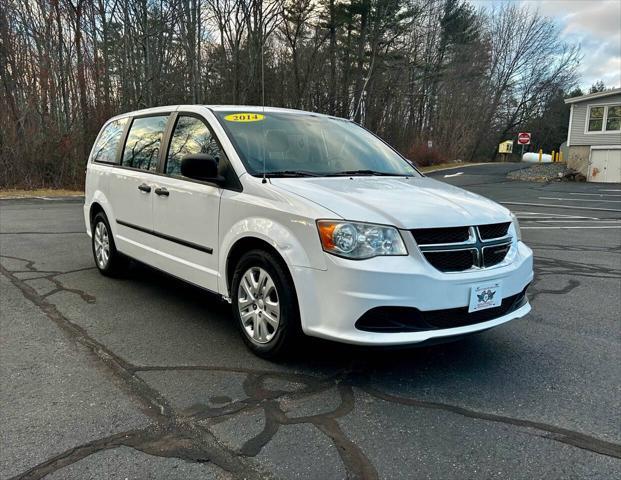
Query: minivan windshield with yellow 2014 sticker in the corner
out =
(294, 144)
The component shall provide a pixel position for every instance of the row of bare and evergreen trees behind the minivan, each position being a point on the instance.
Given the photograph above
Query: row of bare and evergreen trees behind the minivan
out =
(417, 72)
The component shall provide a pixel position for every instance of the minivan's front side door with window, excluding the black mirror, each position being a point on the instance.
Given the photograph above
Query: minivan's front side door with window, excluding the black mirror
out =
(185, 212)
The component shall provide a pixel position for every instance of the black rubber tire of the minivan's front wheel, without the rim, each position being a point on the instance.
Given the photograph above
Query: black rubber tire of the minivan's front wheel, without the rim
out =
(289, 331)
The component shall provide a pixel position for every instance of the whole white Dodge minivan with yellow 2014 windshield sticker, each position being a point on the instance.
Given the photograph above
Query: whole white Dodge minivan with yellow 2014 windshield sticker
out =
(306, 223)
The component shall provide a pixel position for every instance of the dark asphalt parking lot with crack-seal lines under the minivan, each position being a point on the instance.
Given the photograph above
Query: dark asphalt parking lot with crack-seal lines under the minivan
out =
(145, 377)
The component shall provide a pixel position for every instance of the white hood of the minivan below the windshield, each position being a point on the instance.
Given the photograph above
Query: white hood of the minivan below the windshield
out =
(403, 202)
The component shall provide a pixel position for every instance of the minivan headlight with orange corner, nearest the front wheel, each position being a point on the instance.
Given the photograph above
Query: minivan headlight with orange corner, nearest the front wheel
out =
(359, 240)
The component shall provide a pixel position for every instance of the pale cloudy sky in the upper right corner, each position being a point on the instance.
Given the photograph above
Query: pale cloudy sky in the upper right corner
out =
(594, 24)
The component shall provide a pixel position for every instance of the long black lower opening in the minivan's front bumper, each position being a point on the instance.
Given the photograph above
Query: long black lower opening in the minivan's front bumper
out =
(409, 319)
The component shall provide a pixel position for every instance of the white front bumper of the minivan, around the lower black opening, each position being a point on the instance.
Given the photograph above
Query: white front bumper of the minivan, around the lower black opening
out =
(332, 300)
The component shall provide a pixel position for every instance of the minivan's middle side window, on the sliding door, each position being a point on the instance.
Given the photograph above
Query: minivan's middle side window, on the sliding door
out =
(142, 148)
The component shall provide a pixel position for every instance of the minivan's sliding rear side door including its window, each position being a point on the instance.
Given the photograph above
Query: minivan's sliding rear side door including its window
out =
(131, 187)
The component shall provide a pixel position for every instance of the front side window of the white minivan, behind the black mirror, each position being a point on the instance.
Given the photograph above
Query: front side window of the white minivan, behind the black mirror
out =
(191, 136)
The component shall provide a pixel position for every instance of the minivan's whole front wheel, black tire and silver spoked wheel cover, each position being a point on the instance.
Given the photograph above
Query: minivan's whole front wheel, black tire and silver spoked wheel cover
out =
(254, 304)
